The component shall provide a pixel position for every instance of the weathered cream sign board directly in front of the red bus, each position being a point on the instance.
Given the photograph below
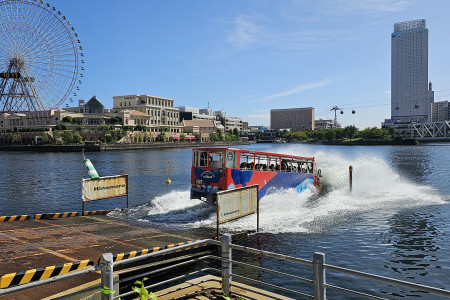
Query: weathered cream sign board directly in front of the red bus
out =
(236, 203)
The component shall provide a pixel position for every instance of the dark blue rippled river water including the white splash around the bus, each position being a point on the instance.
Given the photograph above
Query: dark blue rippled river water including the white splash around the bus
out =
(395, 222)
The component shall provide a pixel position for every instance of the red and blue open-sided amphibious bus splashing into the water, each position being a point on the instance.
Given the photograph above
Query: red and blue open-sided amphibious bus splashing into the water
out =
(215, 169)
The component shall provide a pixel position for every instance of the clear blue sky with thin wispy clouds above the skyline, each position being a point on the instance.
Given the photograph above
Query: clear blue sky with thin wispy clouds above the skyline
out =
(247, 57)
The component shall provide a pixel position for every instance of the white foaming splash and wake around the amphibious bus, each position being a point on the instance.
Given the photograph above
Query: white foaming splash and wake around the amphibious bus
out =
(377, 188)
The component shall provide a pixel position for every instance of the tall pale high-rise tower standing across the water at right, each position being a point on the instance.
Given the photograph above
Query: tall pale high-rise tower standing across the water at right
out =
(411, 94)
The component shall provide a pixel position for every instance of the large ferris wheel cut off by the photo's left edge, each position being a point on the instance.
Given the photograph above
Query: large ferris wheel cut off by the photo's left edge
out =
(41, 62)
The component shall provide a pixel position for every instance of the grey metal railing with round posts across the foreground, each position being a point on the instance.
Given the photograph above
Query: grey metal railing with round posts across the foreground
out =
(318, 284)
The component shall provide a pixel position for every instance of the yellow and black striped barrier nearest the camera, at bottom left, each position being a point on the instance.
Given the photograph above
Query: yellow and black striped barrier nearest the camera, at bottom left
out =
(41, 273)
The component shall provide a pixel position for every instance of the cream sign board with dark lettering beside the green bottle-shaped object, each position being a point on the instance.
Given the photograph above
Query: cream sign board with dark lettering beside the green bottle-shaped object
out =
(105, 187)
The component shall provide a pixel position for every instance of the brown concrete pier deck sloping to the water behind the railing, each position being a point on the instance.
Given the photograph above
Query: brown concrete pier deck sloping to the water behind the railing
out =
(31, 244)
